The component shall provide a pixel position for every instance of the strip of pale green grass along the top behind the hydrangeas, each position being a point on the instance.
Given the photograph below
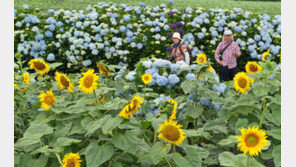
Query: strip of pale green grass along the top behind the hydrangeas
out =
(272, 8)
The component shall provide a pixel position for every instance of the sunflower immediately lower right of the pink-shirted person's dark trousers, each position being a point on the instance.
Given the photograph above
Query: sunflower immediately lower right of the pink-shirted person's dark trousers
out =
(242, 82)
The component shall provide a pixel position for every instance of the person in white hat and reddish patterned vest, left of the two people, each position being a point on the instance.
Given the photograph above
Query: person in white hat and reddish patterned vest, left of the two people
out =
(180, 52)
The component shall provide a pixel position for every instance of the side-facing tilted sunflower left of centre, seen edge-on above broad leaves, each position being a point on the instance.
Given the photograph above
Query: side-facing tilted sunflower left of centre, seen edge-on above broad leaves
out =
(132, 107)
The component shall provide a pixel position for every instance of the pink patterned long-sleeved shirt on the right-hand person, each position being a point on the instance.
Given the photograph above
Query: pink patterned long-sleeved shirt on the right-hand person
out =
(228, 58)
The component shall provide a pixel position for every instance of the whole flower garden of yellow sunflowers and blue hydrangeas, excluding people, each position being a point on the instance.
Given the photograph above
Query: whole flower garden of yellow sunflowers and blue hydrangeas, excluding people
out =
(93, 88)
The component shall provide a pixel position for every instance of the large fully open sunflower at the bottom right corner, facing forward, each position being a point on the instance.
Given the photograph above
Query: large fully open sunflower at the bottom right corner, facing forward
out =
(252, 140)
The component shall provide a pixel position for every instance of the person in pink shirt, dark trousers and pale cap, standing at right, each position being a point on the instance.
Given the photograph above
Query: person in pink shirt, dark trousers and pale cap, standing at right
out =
(226, 55)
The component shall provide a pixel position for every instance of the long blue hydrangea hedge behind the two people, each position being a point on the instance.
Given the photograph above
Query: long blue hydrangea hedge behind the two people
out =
(121, 33)
